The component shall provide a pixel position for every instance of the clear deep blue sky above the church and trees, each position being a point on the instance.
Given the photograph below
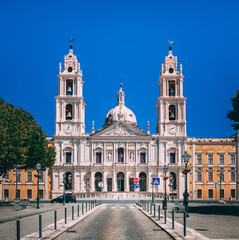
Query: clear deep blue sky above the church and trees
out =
(125, 40)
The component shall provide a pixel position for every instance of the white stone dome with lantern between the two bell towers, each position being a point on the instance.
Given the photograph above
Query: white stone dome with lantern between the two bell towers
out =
(120, 112)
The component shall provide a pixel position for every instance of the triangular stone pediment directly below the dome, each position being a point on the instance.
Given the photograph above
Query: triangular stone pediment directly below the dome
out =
(120, 129)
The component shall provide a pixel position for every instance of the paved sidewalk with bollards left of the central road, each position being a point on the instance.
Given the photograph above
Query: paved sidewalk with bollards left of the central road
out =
(29, 220)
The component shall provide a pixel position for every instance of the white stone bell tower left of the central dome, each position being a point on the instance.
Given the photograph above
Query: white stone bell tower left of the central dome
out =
(70, 106)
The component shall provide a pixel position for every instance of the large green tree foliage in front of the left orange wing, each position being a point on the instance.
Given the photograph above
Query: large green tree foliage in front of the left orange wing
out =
(22, 140)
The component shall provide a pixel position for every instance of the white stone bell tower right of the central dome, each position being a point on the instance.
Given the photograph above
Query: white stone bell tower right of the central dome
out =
(171, 114)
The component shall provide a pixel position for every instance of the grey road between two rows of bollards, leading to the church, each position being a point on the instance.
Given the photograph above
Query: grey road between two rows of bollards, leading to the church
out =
(115, 222)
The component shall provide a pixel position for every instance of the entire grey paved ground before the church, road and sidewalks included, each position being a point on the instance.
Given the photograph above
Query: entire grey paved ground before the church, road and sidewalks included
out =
(206, 221)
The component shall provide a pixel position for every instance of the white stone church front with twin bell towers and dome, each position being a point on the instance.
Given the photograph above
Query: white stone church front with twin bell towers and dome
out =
(120, 151)
